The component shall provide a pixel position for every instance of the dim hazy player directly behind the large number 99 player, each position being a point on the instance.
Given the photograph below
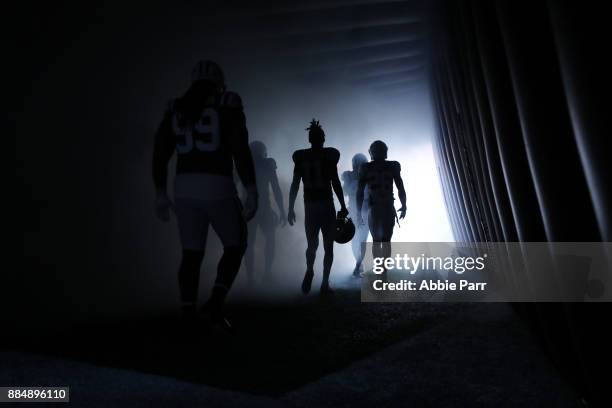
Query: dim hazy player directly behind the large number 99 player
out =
(266, 220)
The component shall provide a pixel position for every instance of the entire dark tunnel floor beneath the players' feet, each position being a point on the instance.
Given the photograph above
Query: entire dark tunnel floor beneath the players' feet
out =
(309, 353)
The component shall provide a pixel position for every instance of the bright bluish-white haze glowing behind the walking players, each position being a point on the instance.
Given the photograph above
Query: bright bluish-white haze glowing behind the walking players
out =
(353, 118)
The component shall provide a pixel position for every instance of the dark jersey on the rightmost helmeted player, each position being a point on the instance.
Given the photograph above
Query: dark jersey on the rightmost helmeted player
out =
(378, 177)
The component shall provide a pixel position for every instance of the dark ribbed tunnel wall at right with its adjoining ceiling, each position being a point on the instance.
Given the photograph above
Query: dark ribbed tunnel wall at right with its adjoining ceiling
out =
(518, 96)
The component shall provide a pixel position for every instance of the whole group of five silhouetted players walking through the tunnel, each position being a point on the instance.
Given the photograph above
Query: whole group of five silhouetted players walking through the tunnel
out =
(206, 128)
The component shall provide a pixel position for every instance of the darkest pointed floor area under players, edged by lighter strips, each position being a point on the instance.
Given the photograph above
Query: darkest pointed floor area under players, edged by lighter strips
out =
(277, 347)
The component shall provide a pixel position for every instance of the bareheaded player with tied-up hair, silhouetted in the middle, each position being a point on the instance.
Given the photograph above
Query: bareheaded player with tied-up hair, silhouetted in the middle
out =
(317, 169)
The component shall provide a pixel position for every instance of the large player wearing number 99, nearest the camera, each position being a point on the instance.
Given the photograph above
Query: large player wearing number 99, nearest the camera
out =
(207, 129)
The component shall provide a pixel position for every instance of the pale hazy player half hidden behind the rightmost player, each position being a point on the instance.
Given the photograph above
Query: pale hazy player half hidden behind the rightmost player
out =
(350, 181)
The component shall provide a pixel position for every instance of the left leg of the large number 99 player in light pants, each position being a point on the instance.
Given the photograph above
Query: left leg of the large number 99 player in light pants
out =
(193, 229)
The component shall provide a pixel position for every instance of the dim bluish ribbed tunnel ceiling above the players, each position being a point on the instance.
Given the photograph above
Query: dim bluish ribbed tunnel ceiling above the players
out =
(379, 45)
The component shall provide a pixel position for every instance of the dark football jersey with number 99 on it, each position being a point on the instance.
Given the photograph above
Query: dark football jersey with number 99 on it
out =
(205, 150)
